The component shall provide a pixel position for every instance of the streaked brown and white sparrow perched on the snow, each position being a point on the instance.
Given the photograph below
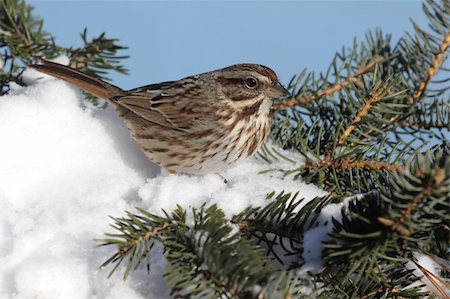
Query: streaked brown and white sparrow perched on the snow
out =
(200, 124)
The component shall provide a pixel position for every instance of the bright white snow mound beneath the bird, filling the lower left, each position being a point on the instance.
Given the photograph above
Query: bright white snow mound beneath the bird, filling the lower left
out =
(66, 166)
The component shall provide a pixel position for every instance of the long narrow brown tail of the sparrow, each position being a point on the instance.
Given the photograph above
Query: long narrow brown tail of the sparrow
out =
(84, 81)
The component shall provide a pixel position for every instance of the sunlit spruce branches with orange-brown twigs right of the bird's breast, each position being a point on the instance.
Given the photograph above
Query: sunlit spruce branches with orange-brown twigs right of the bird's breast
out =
(351, 129)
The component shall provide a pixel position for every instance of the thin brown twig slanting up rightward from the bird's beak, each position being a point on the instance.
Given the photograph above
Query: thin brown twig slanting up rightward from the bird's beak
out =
(302, 100)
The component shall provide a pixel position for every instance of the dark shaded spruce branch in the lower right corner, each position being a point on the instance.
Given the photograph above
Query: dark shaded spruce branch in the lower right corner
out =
(369, 233)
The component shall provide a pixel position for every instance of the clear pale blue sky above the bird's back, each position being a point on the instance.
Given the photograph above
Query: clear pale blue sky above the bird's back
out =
(169, 40)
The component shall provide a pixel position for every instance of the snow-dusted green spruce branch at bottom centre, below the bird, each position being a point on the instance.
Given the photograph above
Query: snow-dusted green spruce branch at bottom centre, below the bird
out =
(197, 266)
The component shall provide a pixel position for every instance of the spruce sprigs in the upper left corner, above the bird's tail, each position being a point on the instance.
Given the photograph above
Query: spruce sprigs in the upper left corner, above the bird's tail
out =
(24, 41)
